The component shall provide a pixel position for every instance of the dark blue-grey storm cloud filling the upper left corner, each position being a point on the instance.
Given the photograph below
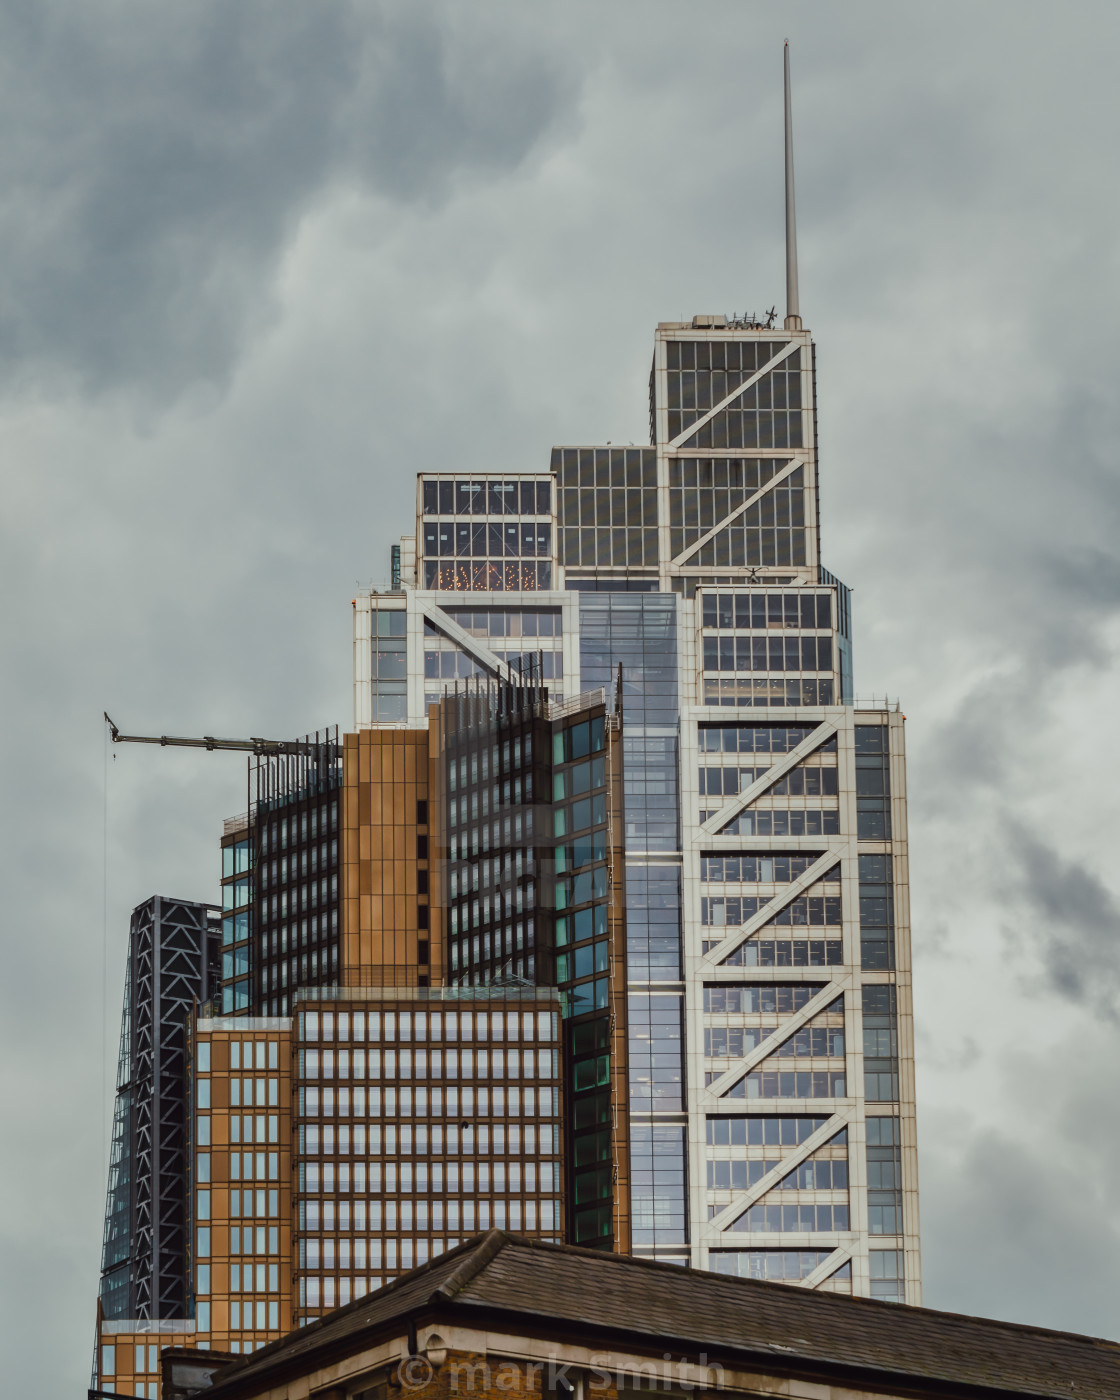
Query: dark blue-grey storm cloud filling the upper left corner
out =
(156, 162)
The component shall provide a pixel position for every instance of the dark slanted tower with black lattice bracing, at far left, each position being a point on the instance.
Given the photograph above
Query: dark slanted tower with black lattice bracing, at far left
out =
(173, 964)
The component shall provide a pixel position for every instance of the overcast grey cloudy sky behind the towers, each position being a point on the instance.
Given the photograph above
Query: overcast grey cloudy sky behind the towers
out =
(261, 264)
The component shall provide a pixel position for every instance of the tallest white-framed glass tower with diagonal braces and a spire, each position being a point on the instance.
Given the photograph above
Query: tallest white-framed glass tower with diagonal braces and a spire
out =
(762, 846)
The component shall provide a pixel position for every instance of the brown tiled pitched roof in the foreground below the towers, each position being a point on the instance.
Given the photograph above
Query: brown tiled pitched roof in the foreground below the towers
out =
(776, 1328)
